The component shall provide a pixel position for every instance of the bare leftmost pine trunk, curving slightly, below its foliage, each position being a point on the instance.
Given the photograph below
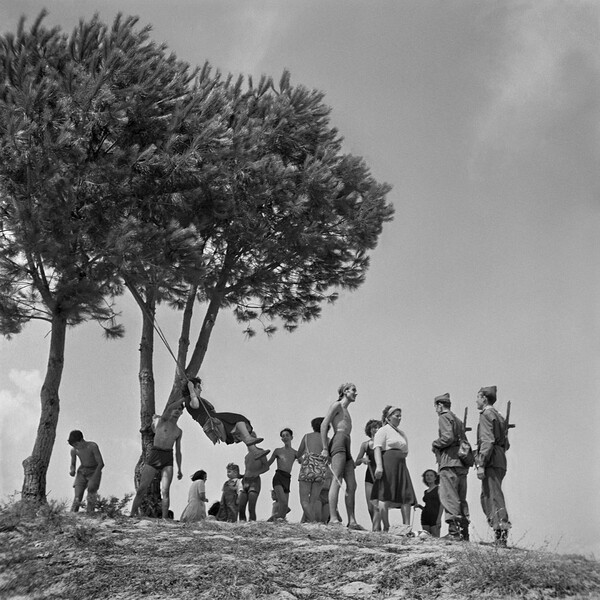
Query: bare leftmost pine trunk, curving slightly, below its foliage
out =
(35, 467)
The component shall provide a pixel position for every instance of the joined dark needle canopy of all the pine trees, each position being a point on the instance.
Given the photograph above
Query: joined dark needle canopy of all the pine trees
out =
(123, 167)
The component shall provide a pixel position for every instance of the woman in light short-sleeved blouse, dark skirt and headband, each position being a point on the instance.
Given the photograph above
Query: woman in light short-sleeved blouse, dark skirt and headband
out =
(393, 487)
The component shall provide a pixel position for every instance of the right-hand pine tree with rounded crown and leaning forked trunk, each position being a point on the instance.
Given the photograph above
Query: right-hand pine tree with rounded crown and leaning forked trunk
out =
(292, 216)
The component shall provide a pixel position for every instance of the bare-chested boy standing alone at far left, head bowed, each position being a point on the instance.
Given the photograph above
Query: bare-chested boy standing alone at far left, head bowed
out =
(89, 472)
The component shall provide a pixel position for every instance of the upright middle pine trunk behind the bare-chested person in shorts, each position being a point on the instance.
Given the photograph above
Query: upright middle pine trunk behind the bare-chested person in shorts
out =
(151, 506)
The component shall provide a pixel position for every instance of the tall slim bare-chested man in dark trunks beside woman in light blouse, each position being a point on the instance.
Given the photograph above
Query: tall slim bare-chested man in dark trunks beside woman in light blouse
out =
(342, 465)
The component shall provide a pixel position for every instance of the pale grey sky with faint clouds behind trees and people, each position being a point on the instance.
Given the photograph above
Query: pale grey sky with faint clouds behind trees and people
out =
(485, 119)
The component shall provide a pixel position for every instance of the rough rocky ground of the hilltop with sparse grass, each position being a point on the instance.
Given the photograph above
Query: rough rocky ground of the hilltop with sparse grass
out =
(62, 556)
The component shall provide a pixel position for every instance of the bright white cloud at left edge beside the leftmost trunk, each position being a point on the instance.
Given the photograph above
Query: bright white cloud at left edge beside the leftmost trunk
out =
(19, 415)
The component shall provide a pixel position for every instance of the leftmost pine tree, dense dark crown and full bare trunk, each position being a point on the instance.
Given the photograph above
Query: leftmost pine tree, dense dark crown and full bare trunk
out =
(86, 130)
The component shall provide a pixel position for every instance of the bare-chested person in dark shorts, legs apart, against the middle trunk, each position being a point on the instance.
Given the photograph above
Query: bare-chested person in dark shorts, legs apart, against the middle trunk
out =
(160, 458)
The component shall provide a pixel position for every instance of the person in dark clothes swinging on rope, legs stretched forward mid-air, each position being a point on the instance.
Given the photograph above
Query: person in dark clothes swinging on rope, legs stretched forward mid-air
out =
(227, 427)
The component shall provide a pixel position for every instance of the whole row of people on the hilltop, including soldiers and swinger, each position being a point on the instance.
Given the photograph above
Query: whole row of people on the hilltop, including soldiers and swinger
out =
(326, 465)
